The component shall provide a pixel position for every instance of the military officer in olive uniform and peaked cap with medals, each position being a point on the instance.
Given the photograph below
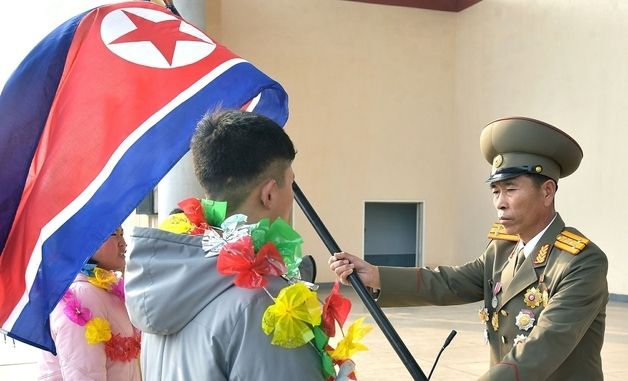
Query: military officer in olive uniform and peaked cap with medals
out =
(542, 284)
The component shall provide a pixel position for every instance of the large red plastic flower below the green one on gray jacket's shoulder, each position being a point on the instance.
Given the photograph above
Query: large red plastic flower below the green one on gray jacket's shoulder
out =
(239, 258)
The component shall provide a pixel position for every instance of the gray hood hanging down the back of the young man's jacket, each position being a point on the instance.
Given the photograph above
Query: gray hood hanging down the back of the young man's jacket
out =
(168, 280)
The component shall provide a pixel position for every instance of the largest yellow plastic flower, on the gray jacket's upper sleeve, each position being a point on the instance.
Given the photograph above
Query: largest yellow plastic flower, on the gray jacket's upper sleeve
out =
(295, 311)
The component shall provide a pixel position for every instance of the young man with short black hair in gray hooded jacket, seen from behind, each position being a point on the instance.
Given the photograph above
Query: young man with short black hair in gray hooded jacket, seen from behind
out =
(196, 324)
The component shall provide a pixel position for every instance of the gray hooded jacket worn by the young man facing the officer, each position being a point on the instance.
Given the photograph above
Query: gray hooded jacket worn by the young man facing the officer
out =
(196, 325)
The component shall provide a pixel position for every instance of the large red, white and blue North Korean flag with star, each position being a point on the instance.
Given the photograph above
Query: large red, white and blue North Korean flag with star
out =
(91, 120)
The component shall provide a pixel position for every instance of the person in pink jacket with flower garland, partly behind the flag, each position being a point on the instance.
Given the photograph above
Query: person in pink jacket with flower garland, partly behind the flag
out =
(90, 326)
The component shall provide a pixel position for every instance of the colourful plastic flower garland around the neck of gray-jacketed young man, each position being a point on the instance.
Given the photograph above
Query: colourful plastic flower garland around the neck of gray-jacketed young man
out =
(251, 252)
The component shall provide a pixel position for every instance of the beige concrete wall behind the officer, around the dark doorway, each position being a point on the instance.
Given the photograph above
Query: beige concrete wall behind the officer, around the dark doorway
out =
(387, 103)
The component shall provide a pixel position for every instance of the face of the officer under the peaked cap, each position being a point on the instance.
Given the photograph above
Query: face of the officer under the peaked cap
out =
(523, 207)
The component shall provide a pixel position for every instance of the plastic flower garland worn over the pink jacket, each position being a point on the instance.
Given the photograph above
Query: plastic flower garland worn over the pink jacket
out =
(97, 329)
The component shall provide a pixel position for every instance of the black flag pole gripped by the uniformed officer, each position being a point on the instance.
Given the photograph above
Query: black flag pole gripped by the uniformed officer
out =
(377, 313)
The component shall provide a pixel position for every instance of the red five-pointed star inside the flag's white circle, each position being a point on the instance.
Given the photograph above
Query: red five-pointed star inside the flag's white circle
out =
(162, 34)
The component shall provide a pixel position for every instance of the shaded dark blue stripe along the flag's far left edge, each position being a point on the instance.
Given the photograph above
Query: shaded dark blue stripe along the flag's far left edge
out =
(24, 105)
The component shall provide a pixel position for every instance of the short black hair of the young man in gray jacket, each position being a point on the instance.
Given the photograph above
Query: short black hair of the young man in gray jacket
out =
(233, 151)
